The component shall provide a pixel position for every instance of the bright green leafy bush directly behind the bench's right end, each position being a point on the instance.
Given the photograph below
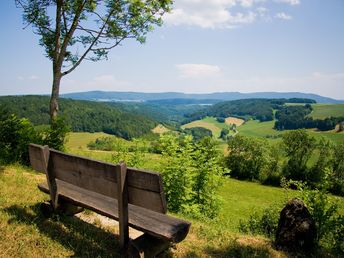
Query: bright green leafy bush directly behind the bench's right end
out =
(192, 175)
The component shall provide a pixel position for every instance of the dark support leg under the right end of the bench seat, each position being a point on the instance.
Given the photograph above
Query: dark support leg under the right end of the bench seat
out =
(147, 246)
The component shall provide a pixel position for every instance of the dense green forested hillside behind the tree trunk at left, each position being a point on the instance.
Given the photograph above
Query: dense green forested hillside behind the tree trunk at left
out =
(86, 116)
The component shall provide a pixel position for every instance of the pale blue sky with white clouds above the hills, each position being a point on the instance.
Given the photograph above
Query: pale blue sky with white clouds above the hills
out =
(203, 46)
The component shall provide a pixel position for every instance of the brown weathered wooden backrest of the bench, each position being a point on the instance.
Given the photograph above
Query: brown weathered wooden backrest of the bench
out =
(144, 187)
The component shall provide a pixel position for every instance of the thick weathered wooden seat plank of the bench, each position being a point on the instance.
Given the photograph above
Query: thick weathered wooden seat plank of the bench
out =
(156, 224)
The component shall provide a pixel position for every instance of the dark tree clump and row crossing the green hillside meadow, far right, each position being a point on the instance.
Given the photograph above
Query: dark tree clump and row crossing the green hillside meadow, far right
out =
(296, 117)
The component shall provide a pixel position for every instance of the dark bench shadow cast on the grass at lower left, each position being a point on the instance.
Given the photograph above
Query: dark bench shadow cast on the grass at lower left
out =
(84, 239)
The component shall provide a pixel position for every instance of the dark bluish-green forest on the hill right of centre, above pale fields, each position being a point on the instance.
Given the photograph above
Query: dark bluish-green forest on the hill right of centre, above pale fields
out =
(260, 109)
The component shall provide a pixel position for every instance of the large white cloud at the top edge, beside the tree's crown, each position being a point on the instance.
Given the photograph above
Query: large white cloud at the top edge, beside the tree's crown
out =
(222, 14)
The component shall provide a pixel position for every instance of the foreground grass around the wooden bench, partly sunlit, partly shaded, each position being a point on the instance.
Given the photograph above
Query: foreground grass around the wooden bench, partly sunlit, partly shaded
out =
(26, 233)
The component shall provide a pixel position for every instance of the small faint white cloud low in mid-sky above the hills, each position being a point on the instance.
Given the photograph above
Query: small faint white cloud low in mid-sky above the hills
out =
(197, 71)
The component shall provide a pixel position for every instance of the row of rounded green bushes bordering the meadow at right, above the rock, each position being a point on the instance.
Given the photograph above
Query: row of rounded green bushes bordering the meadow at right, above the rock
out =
(319, 163)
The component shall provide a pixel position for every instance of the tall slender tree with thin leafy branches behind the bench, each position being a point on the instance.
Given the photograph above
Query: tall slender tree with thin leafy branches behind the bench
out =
(75, 30)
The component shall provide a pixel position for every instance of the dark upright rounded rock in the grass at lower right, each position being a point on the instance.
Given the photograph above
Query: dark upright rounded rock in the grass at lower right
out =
(296, 228)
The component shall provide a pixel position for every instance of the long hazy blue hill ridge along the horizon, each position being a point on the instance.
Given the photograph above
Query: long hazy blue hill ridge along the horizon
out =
(108, 96)
